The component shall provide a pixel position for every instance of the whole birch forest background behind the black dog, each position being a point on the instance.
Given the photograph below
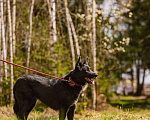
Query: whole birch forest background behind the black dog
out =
(50, 35)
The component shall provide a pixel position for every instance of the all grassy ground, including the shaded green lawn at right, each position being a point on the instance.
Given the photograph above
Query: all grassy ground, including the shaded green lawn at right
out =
(119, 108)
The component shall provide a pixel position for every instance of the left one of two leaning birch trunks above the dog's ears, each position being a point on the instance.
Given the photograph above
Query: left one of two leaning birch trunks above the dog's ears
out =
(70, 34)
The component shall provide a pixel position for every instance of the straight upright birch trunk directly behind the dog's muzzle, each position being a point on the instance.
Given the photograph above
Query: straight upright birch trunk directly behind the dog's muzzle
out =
(90, 22)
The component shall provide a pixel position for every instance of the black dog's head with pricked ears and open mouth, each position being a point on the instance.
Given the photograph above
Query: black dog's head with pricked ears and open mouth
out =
(82, 73)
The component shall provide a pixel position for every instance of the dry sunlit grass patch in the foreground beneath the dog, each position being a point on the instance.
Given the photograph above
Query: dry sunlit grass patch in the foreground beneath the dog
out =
(6, 113)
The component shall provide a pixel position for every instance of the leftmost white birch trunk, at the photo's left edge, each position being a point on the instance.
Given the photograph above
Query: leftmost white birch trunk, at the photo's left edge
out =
(3, 38)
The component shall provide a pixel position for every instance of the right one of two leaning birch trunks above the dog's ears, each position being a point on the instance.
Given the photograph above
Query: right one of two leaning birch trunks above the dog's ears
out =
(75, 35)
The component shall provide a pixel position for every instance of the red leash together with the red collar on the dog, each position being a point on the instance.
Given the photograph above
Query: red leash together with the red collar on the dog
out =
(71, 82)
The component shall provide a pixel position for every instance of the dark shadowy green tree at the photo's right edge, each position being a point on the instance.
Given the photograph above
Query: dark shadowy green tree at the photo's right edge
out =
(138, 49)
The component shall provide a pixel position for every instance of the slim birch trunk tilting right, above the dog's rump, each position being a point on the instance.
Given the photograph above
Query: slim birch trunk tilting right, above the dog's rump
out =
(30, 35)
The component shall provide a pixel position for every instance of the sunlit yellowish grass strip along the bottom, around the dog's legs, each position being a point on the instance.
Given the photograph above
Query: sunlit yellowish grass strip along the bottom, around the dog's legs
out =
(91, 115)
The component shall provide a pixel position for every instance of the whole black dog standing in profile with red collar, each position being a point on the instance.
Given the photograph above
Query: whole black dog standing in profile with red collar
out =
(59, 95)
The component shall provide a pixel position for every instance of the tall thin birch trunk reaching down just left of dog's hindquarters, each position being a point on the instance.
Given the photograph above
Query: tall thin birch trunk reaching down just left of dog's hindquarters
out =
(11, 52)
